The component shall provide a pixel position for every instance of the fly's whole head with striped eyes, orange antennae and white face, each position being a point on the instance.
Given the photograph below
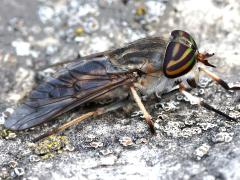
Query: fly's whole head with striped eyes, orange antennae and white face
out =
(182, 57)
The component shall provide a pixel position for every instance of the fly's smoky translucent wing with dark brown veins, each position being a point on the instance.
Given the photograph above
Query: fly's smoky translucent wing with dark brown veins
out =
(76, 85)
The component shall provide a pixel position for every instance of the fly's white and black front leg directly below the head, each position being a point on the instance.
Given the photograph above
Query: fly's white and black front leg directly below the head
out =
(200, 102)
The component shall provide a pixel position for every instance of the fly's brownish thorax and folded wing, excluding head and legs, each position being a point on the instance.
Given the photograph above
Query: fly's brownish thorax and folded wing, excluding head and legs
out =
(98, 77)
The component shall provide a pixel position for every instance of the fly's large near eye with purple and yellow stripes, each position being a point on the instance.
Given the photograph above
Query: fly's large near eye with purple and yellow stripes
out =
(179, 59)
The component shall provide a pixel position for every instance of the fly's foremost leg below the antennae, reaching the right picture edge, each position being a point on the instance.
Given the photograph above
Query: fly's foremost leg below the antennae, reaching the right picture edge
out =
(218, 80)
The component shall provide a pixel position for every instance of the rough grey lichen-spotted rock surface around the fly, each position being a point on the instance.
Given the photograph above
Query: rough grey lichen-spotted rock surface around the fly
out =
(191, 142)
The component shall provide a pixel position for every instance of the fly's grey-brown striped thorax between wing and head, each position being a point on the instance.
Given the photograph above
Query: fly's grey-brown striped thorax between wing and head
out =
(136, 55)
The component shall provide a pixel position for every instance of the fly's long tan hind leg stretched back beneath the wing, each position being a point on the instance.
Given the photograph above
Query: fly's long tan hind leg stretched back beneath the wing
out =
(97, 112)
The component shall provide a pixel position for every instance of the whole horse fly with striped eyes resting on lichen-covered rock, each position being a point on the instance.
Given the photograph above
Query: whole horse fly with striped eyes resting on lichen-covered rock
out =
(147, 66)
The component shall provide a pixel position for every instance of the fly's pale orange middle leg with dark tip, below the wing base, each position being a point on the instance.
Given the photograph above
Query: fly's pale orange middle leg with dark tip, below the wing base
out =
(147, 116)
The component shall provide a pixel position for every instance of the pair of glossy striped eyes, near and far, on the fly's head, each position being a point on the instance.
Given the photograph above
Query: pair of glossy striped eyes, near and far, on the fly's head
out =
(180, 55)
